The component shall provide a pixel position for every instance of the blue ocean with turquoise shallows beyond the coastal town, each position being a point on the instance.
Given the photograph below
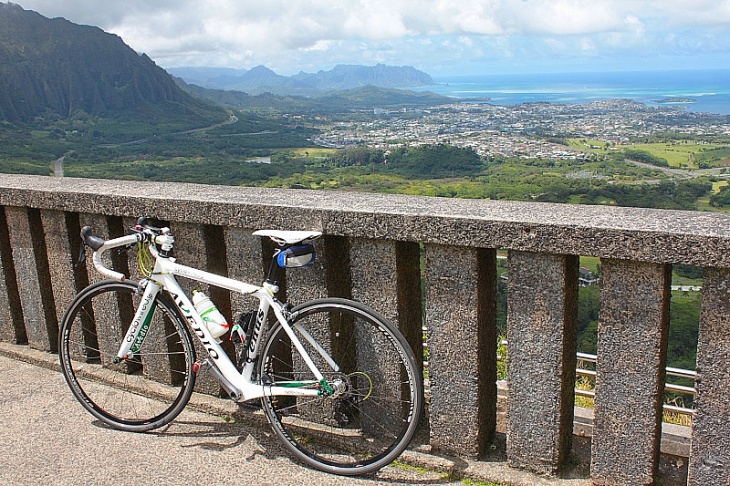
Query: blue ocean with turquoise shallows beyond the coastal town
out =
(698, 90)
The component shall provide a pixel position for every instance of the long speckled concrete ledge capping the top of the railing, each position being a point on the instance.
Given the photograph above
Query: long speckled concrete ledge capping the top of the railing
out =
(651, 235)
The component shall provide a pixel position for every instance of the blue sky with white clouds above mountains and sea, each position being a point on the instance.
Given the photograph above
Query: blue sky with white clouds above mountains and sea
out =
(441, 37)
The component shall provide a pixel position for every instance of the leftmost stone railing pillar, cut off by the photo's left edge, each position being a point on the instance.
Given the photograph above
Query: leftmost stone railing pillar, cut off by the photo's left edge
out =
(12, 328)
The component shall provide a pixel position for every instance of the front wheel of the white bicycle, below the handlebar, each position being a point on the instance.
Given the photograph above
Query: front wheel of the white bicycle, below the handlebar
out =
(141, 393)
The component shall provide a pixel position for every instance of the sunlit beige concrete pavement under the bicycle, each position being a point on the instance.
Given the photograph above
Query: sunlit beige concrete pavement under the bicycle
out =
(49, 439)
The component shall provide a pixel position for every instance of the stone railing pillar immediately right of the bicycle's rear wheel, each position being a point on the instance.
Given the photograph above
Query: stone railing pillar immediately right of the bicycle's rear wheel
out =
(462, 346)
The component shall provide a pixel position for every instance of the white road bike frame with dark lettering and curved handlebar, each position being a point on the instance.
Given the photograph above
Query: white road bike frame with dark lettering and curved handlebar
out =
(241, 386)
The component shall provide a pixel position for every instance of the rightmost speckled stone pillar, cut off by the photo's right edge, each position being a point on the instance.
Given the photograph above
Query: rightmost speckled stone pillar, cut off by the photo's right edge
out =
(710, 456)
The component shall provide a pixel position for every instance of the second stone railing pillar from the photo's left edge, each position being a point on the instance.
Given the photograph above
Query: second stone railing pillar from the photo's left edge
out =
(31, 266)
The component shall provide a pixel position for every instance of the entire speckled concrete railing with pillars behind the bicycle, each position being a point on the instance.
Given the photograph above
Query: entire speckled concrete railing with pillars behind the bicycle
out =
(380, 249)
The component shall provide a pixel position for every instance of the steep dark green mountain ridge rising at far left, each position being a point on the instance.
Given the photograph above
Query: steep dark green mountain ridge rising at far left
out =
(54, 67)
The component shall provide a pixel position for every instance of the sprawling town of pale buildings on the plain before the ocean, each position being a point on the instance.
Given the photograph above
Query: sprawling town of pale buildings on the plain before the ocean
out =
(533, 130)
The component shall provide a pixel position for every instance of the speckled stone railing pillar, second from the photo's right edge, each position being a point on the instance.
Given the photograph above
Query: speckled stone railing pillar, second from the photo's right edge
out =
(631, 371)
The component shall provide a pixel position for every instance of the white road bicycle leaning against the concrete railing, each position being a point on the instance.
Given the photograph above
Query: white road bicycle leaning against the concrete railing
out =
(337, 381)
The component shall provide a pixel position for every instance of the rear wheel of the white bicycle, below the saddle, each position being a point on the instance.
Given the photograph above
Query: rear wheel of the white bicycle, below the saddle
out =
(369, 425)
